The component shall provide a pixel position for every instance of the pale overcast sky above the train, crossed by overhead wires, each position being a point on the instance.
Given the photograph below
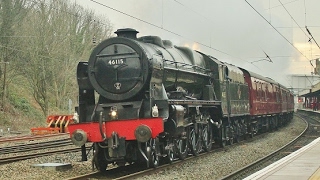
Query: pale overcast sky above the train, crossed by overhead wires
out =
(230, 30)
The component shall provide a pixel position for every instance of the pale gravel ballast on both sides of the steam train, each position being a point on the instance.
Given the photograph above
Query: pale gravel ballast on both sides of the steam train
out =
(215, 166)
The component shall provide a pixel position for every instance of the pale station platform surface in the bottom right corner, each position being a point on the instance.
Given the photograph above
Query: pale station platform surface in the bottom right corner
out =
(303, 164)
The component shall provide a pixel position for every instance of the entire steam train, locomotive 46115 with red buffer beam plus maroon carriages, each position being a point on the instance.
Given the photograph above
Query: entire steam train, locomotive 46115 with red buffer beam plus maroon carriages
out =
(144, 100)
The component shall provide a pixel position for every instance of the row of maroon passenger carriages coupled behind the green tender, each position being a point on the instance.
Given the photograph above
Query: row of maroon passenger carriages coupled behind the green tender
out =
(268, 102)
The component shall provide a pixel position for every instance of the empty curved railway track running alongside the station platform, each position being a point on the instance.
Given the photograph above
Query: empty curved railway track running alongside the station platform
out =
(310, 133)
